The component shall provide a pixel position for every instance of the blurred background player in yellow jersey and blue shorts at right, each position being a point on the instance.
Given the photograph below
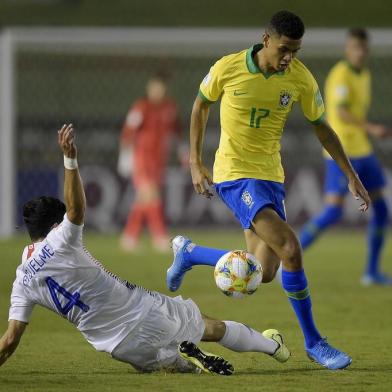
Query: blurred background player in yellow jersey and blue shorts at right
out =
(347, 93)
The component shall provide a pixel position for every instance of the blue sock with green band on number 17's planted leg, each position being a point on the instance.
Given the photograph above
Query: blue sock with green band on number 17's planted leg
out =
(296, 287)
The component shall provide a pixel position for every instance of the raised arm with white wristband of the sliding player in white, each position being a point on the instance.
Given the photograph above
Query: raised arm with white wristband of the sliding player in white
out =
(75, 199)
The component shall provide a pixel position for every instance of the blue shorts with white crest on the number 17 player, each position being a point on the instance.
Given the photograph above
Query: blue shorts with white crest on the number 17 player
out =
(247, 196)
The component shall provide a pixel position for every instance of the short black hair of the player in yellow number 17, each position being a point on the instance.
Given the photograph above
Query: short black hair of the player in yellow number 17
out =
(286, 23)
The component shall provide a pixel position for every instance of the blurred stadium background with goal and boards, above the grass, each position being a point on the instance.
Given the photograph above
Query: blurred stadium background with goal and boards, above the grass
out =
(90, 74)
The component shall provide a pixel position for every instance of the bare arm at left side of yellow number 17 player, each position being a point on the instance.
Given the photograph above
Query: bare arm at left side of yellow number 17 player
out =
(201, 177)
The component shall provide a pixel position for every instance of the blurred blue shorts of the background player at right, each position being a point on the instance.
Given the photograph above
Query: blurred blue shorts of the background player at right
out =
(369, 171)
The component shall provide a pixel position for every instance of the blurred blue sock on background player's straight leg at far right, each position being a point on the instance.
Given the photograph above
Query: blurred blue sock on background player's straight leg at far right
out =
(376, 235)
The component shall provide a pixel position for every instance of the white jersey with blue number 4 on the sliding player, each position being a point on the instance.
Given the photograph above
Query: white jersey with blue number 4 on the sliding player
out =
(60, 274)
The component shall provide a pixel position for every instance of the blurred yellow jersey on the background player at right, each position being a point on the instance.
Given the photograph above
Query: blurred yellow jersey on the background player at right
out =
(350, 88)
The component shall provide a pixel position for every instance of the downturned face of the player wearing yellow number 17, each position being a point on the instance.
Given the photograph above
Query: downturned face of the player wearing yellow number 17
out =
(280, 51)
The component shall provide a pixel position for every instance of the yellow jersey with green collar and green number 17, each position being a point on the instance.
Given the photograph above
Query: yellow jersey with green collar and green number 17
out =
(254, 108)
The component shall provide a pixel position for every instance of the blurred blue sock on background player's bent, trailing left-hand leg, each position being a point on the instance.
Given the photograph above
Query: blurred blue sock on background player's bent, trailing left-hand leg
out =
(330, 215)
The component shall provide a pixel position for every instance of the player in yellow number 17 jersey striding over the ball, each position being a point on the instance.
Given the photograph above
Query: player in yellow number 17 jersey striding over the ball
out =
(258, 88)
